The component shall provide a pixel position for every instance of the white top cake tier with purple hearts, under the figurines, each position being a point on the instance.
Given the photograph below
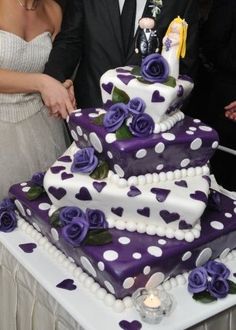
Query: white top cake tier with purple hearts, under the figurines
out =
(161, 99)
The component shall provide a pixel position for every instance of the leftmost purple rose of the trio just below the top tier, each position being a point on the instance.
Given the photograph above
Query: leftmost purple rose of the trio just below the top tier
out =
(115, 117)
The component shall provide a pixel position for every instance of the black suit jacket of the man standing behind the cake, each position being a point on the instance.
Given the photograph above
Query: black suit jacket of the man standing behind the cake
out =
(91, 36)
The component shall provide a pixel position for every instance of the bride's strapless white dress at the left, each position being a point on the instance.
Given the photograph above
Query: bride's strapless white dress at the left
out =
(30, 140)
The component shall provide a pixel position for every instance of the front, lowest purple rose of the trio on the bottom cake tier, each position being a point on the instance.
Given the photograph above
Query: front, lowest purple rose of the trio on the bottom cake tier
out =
(76, 231)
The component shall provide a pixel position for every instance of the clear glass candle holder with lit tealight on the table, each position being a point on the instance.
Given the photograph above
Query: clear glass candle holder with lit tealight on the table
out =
(152, 304)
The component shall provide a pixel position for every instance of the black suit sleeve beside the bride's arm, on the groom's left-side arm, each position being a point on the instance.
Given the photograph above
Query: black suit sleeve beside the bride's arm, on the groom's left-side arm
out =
(67, 46)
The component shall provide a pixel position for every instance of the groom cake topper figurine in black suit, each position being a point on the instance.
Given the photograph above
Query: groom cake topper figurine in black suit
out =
(147, 41)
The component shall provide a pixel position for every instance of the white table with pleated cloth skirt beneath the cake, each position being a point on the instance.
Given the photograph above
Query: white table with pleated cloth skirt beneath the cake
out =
(31, 300)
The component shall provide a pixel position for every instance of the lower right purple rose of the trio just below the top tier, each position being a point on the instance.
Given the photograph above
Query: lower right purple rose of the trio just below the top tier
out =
(142, 125)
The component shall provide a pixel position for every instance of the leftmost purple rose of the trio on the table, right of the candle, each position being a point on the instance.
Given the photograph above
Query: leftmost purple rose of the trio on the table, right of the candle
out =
(197, 280)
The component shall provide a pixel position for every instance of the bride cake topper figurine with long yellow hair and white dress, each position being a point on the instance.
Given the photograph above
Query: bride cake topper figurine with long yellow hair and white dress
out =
(174, 44)
